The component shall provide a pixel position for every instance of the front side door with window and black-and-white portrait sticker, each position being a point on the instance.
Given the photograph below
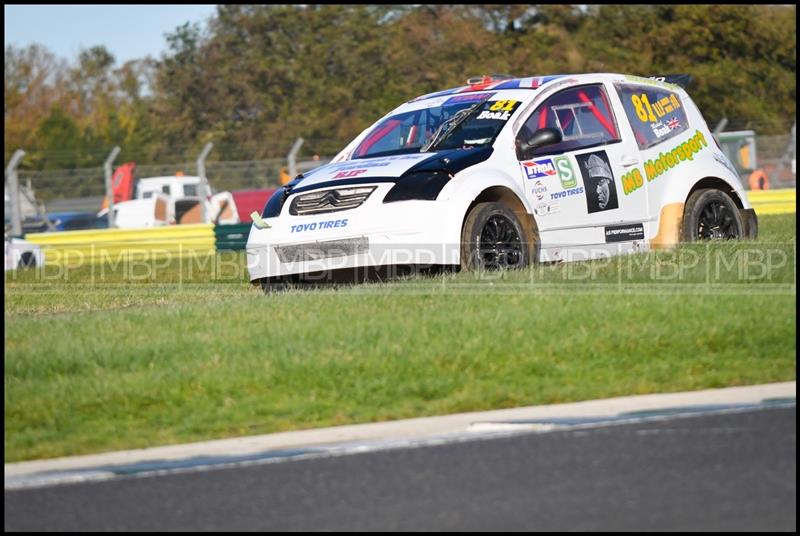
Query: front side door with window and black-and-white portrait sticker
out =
(576, 185)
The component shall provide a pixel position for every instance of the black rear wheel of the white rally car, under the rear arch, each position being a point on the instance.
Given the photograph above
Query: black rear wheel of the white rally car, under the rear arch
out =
(711, 214)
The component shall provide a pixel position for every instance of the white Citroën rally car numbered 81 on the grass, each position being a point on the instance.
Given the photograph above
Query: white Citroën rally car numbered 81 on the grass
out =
(504, 172)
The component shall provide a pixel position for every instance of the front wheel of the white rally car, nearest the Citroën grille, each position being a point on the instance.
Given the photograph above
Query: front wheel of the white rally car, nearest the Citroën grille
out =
(493, 238)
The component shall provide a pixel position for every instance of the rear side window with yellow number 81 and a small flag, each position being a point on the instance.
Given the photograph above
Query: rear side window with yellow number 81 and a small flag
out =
(656, 114)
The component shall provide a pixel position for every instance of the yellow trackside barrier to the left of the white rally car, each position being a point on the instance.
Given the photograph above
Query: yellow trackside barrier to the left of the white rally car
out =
(103, 245)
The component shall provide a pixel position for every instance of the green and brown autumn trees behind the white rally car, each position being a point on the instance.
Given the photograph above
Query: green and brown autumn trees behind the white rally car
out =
(257, 77)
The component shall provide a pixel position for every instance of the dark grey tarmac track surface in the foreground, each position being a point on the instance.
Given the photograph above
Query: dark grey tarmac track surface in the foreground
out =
(728, 471)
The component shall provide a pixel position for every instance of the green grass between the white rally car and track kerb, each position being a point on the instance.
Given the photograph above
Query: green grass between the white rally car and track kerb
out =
(190, 351)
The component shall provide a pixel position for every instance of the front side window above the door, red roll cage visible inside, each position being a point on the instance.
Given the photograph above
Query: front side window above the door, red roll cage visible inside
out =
(582, 114)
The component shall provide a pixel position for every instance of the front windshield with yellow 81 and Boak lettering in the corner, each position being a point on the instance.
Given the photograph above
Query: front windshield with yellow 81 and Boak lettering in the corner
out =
(408, 132)
